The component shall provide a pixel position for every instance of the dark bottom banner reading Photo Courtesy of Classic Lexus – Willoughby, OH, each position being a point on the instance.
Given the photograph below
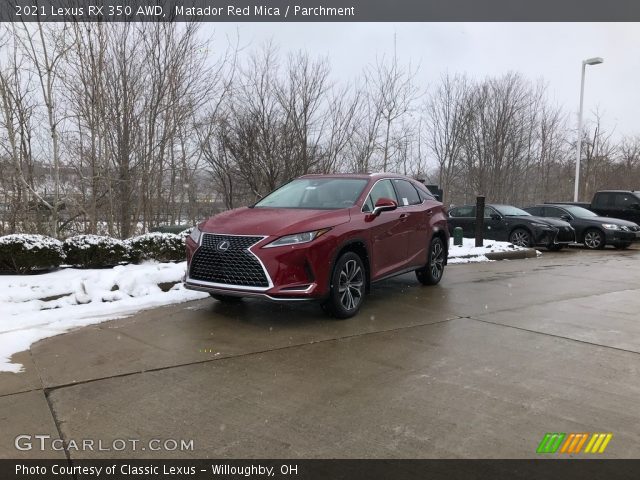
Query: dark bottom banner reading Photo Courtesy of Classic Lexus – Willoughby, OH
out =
(202, 469)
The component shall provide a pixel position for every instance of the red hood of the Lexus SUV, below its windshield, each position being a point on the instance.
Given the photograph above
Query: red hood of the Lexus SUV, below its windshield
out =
(273, 221)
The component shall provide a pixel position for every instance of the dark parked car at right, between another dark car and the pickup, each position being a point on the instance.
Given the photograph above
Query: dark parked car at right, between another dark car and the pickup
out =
(594, 231)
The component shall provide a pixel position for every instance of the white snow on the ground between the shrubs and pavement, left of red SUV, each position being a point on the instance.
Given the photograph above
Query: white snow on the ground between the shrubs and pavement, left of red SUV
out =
(80, 297)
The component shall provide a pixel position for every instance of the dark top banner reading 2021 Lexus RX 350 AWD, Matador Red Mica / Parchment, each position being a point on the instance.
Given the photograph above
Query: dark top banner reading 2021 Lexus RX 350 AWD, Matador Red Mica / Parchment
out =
(320, 10)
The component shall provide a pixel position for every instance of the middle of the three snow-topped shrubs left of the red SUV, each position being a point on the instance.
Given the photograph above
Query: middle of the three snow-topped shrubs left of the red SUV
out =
(93, 251)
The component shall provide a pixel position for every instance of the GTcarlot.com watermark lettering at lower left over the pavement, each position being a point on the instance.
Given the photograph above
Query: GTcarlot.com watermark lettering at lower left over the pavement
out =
(46, 443)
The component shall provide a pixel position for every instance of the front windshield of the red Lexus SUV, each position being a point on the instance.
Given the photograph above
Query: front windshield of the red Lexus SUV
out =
(315, 194)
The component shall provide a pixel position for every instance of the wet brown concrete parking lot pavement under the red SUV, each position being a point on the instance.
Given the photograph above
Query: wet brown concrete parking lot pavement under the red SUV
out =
(482, 365)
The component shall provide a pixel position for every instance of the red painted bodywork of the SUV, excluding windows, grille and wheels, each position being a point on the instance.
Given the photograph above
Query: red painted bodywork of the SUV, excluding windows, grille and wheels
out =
(395, 241)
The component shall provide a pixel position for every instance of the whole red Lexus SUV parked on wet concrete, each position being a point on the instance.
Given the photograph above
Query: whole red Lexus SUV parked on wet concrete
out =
(322, 237)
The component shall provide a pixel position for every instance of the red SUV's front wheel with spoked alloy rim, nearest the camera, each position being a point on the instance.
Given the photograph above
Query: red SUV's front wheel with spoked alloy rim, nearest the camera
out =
(347, 289)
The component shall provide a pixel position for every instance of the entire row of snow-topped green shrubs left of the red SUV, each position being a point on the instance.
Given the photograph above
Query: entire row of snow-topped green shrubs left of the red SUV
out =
(21, 253)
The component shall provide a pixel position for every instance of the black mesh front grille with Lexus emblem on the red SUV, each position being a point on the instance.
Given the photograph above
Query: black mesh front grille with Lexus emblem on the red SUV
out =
(234, 266)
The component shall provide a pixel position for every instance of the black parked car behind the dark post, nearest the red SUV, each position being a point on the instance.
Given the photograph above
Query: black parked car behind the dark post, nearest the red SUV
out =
(510, 224)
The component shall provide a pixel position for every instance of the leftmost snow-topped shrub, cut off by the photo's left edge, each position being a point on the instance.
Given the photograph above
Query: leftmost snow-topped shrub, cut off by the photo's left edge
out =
(22, 253)
